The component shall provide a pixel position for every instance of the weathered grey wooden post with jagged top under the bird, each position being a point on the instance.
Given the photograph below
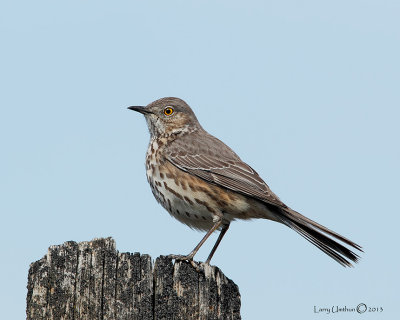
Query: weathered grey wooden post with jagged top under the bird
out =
(92, 280)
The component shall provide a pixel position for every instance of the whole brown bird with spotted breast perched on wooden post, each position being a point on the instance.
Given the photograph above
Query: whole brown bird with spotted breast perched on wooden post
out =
(204, 184)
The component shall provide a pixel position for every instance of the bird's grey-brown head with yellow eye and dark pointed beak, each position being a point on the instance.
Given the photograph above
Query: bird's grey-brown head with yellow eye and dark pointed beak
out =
(168, 116)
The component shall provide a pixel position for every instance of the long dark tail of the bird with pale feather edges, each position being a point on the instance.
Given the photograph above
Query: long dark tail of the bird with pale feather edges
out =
(317, 235)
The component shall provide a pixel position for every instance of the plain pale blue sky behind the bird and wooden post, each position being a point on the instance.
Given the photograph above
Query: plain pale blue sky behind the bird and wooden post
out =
(306, 92)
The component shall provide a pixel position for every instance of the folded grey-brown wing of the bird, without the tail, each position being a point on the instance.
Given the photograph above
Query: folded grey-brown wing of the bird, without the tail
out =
(208, 158)
